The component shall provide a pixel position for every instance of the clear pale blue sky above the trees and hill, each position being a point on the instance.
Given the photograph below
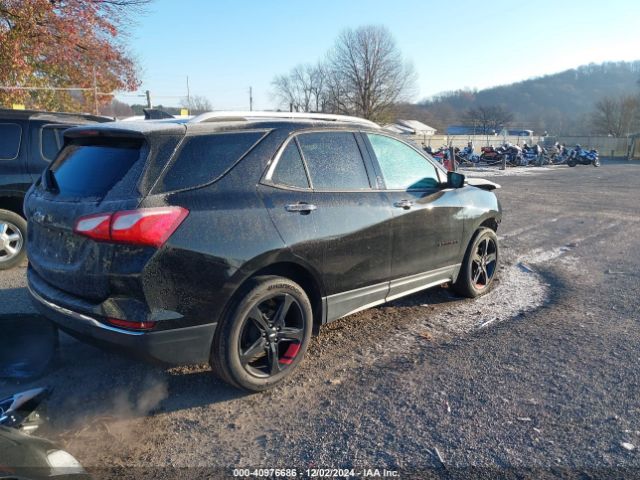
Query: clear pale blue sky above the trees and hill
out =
(226, 46)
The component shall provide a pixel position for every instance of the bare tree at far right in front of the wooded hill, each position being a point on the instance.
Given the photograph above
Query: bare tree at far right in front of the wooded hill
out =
(617, 116)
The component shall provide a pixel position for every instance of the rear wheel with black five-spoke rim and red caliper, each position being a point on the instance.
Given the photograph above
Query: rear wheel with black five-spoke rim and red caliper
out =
(255, 348)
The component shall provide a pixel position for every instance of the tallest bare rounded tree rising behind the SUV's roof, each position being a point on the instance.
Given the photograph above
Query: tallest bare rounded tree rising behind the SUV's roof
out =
(366, 74)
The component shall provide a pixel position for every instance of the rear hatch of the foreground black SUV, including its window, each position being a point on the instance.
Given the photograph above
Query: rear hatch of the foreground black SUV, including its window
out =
(104, 169)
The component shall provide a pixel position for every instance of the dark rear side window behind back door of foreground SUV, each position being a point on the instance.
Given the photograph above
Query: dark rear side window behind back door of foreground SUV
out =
(205, 158)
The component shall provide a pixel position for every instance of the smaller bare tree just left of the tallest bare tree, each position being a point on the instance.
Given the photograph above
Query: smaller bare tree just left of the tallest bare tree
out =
(303, 89)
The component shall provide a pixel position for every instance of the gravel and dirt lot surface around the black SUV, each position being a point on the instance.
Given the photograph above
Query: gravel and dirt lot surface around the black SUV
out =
(538, 378)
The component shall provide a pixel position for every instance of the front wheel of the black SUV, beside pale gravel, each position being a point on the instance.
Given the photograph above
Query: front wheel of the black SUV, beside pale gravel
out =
(471, 281)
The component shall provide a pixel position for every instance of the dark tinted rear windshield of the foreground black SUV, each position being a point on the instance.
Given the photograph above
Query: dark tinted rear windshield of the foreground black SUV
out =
(93, 169)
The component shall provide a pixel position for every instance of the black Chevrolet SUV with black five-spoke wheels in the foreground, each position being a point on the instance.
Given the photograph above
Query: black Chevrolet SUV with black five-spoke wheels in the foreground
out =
(229, 239)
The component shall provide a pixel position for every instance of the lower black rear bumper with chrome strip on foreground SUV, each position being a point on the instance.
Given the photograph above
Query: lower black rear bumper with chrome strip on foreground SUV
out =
(175, 346)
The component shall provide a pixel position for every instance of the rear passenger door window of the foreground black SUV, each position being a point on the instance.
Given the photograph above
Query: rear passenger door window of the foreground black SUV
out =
(334, 161)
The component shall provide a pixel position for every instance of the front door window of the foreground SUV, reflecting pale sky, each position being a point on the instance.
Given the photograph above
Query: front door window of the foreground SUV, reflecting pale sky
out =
(402, 167)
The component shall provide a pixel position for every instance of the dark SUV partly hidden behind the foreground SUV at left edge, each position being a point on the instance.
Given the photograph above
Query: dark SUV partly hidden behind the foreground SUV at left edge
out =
(29, 141)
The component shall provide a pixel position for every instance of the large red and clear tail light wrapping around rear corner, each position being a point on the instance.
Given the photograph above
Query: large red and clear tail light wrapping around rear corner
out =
(144, 226)
